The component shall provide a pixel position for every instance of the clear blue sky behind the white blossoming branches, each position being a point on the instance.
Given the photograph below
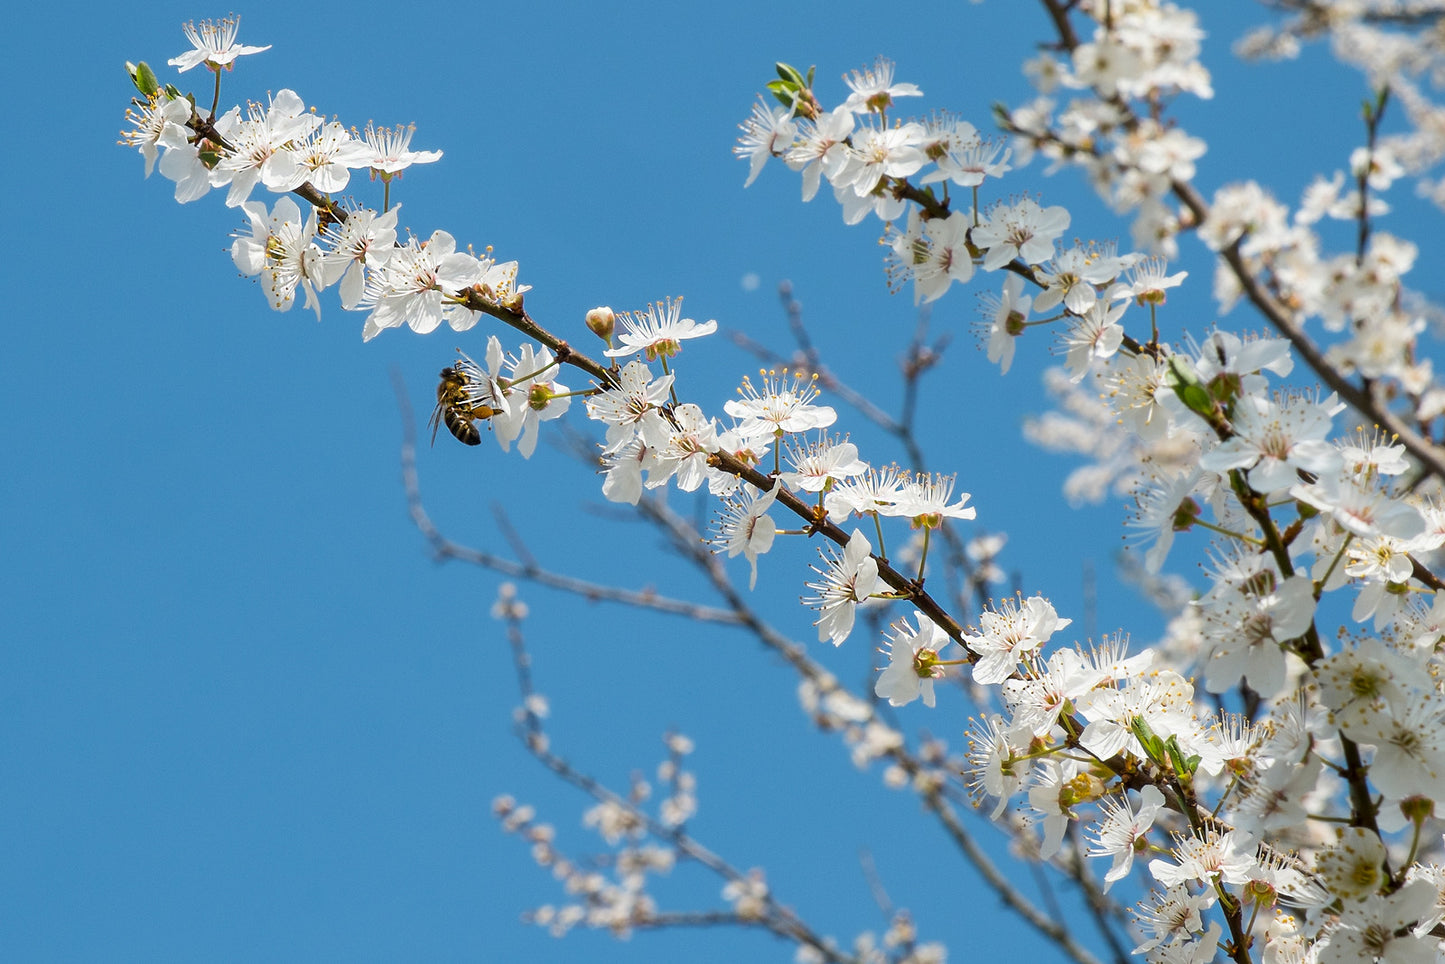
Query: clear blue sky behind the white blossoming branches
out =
(242, 713)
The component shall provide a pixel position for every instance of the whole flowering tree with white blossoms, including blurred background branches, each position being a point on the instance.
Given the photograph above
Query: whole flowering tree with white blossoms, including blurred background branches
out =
(1272, 762)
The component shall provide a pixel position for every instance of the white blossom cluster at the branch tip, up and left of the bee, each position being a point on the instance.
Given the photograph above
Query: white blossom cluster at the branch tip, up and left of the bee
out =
(285, 148)
